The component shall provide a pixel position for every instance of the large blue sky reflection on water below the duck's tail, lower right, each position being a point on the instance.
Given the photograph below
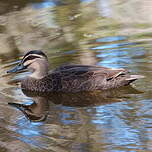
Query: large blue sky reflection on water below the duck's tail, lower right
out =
(114, 122)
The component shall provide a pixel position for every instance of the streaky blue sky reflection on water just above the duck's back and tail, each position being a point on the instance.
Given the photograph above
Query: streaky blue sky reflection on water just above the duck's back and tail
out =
(117, 55)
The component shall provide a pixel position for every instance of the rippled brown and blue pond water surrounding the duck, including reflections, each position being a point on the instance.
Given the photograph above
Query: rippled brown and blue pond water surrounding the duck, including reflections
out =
(102, 32)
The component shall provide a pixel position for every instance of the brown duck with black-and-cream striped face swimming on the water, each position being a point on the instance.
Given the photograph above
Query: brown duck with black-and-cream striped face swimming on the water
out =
(69, 78)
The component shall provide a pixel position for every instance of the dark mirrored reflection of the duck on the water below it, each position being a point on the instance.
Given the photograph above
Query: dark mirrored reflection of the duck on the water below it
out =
(39, 109)
